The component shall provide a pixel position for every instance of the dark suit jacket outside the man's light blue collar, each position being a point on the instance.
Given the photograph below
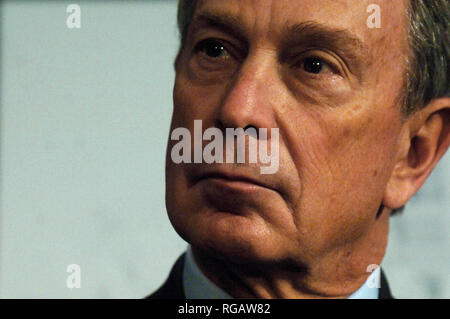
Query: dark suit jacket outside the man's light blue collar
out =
(173, 287)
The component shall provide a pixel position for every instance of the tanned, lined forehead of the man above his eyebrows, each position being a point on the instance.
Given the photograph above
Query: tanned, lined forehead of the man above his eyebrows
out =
(269, 19)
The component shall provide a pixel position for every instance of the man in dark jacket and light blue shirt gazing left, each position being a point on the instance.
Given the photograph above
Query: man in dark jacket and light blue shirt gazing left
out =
(363, 115)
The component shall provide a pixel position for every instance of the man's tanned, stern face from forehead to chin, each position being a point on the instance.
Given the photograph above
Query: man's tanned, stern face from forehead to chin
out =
(330, 84)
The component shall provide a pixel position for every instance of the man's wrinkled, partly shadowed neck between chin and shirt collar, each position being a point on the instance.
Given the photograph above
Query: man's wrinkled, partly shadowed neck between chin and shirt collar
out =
(337, 274)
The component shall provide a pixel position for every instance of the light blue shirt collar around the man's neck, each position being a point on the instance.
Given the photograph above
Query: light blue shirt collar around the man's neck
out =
(198, 286)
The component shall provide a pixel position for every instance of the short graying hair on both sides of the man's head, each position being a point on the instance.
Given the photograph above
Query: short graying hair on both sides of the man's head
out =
(427, 75)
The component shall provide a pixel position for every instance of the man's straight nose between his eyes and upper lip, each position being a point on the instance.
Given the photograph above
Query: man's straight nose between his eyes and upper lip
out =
(250, 100)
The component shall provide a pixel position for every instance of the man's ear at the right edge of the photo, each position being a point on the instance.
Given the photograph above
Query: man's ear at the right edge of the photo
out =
(424, 139)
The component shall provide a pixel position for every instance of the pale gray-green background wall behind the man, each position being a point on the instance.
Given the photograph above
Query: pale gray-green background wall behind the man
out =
(84, 120)
